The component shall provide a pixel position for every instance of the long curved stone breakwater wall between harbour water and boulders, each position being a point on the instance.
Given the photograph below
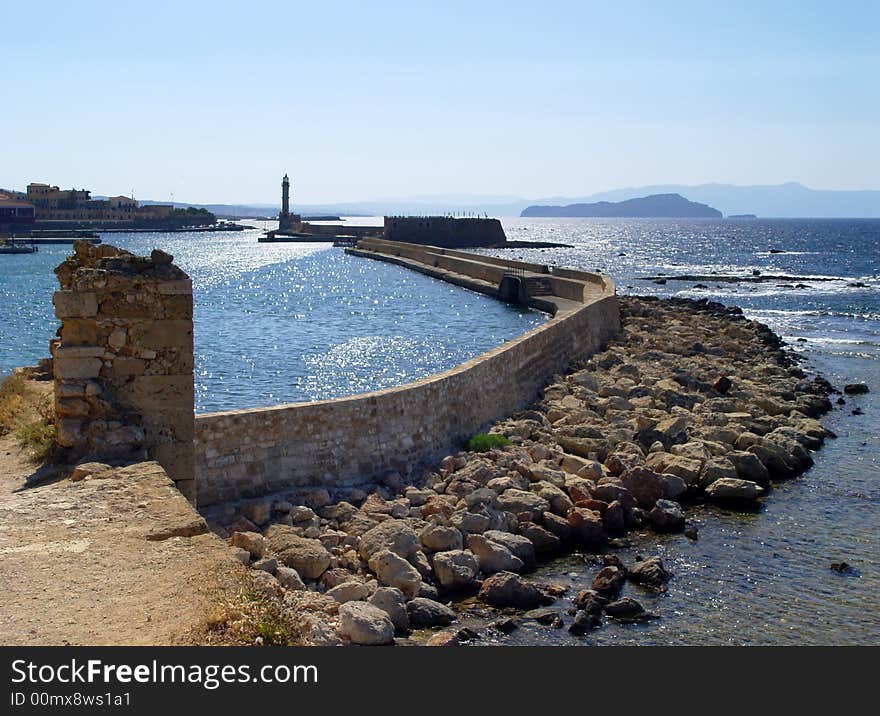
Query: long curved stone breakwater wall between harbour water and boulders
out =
(356, 440)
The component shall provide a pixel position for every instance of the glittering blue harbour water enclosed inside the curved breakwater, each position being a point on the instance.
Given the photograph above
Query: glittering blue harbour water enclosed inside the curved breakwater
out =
(277, 323)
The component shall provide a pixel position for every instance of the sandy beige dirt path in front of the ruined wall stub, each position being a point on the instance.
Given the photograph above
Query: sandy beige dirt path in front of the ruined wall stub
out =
(97, 561)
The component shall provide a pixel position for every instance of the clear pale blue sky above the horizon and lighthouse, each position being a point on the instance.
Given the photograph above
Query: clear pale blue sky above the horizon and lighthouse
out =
(214, 101)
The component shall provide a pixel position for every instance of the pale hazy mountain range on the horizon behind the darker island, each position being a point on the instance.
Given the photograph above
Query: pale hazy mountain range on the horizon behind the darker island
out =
(780, 200)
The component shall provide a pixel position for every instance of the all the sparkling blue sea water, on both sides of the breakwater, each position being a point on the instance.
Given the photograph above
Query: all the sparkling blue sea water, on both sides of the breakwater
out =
(278, 323)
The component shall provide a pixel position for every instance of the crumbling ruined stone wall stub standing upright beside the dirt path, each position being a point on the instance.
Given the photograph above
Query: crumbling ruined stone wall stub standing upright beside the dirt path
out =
(123, 360)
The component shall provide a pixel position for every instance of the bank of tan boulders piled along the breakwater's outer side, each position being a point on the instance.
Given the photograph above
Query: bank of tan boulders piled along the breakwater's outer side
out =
(690, 402)
